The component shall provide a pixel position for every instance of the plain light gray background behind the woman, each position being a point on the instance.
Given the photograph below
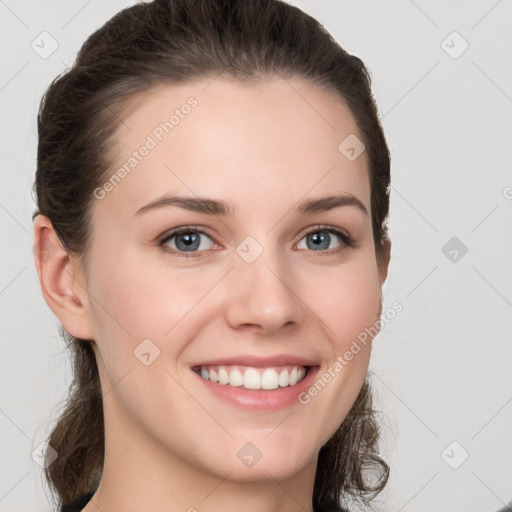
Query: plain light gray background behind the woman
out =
(443, 365)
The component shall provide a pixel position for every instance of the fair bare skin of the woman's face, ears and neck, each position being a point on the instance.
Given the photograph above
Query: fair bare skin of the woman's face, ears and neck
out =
(262, 149)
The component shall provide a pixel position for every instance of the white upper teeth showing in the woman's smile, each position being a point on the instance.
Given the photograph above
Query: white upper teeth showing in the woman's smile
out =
(254, 378)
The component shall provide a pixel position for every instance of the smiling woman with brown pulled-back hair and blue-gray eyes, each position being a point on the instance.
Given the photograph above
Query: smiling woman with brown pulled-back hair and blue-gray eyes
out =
(212, 196)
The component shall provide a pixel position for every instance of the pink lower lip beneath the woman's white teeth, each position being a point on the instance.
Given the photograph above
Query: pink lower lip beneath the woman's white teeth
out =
(260, 399)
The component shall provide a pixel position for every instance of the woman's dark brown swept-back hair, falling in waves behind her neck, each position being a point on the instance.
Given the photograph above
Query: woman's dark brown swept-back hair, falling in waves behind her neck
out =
(164, 43)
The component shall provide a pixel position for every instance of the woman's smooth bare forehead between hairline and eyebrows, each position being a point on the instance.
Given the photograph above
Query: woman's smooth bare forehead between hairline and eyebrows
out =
(277, 139)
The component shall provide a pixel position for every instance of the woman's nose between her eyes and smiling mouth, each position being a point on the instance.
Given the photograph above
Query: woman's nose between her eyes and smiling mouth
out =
(264, 294)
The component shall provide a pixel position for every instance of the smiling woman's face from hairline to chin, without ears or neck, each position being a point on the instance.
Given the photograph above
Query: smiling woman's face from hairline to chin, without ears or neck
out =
(262, 292)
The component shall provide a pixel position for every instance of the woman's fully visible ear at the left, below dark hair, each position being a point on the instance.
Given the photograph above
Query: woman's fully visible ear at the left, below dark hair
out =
(62, 280)
